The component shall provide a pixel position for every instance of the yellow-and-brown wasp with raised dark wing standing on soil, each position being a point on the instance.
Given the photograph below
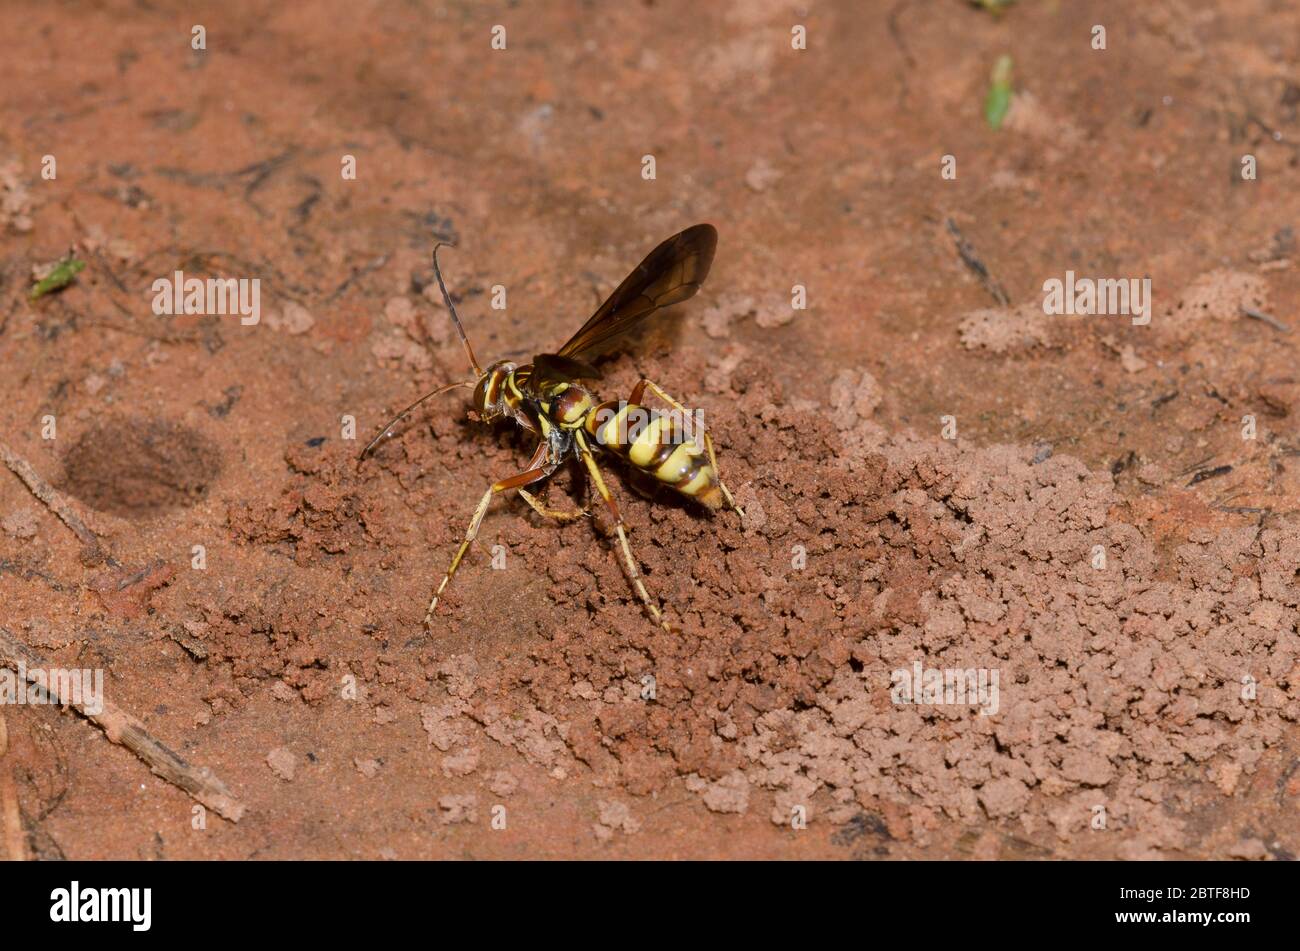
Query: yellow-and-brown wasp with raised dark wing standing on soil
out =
(548, 398)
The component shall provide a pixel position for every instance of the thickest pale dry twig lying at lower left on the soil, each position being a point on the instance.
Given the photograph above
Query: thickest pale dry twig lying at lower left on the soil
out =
(124, 729)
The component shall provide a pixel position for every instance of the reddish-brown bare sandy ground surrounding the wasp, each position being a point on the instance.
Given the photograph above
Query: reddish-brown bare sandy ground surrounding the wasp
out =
(935, 474)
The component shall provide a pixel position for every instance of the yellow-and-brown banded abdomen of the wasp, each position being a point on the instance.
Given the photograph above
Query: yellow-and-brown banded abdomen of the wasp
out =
(662, 445)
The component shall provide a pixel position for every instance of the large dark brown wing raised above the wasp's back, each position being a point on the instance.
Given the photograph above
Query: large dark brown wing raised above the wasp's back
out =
(670, 275)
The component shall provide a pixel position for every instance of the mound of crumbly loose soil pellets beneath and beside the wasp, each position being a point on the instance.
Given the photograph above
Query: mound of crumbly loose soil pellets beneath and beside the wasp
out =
(1102, 662)
